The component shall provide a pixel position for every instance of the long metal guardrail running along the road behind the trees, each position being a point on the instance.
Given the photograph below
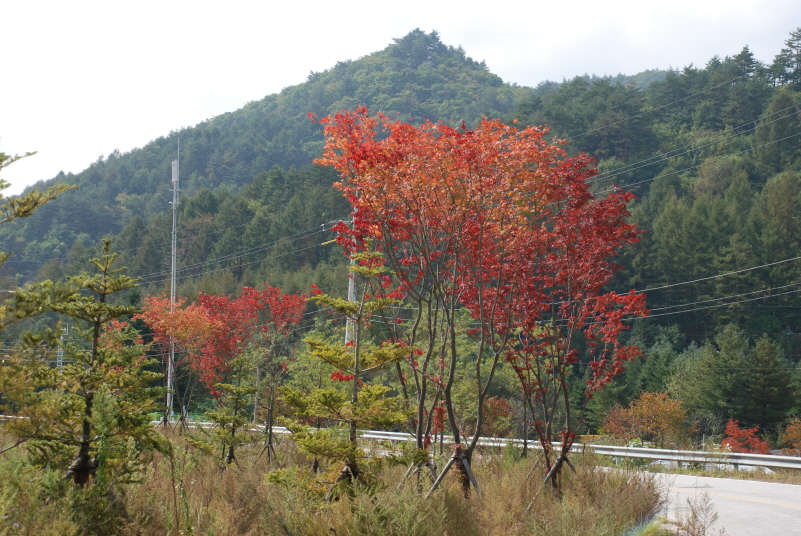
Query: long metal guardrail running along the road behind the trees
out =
(679, 456)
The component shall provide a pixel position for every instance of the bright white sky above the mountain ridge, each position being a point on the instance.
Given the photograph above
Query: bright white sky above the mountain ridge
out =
(83, 78)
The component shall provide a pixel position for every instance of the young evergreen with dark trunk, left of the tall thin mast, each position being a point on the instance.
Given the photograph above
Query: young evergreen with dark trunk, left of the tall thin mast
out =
(99, 401)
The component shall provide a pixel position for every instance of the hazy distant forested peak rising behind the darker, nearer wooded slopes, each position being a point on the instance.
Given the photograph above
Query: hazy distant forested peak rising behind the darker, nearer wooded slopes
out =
(417, 76)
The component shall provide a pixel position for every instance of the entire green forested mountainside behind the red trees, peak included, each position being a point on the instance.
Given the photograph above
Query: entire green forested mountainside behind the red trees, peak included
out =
(712, 152)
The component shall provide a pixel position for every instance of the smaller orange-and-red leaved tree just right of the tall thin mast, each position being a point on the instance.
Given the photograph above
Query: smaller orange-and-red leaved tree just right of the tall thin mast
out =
(214, 336)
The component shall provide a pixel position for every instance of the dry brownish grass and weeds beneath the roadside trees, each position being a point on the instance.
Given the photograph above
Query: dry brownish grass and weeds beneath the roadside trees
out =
(186, 492)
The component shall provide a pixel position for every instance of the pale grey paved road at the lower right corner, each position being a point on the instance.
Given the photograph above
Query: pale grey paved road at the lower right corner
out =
(744, 507)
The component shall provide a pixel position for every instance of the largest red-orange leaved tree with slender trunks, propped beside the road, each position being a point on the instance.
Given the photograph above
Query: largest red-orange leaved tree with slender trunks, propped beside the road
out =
(496, 222)
